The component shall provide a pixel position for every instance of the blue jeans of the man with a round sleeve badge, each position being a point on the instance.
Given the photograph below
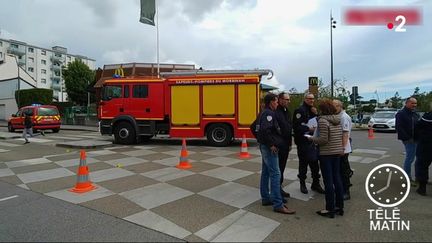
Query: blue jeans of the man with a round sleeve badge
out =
(270, 172)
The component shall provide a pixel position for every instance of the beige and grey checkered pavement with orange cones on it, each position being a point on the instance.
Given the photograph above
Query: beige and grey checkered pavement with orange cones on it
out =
(216, 200)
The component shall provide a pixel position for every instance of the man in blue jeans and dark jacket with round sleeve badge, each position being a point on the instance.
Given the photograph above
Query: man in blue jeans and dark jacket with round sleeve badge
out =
(269, 139)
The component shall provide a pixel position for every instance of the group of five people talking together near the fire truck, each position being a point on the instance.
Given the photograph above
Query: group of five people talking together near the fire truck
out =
(323, 141)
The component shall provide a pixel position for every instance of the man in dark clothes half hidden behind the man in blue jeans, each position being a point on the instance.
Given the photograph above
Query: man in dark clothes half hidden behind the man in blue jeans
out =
(283, 117)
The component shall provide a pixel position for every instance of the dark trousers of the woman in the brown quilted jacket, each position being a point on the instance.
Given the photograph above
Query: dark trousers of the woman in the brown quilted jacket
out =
(330, 169)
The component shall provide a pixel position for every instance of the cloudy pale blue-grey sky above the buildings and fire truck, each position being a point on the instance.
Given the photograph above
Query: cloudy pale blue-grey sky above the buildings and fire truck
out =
(291, 37)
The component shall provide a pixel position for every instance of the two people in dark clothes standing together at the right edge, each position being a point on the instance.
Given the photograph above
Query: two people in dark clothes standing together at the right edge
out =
(416, 136)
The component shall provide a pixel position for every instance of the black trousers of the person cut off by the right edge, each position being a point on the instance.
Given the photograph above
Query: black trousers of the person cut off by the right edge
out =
(424, 159)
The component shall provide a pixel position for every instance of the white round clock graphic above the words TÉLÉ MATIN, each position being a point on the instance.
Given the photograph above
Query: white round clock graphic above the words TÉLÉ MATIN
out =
(387, 185)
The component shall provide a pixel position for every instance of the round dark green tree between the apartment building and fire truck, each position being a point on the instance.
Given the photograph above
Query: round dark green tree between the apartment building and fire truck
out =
(78, 77)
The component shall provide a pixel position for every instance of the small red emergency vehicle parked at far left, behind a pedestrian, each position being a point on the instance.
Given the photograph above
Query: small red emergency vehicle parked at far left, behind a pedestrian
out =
(43, 117)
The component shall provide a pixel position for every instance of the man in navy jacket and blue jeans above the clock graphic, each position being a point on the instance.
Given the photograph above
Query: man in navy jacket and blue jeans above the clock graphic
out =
(405, 122)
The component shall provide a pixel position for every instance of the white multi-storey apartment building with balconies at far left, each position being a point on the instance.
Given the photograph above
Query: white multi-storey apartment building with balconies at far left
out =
(43, 65)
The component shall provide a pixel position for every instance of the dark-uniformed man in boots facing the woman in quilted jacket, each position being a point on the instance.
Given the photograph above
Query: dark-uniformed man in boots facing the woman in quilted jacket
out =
(305, 148)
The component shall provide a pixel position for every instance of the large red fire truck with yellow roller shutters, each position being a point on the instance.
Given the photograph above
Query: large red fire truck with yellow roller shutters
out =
(219, 105)
